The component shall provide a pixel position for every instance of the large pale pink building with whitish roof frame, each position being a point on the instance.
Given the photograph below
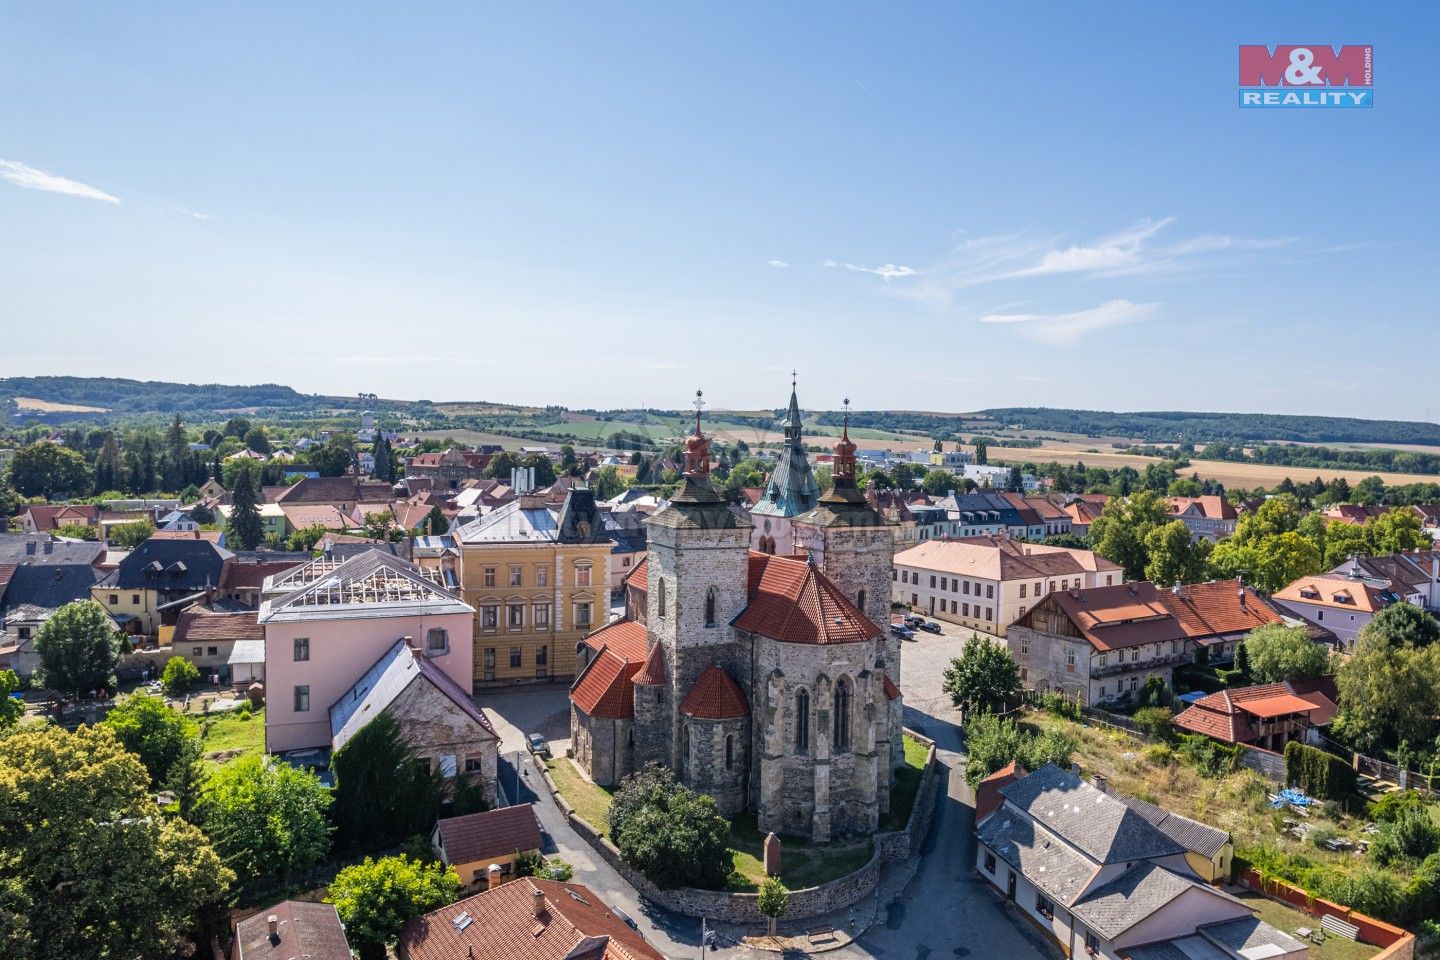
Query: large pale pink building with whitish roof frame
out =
(328, 622)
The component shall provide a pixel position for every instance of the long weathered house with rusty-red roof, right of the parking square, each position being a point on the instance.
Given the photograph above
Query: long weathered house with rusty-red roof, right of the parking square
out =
(1107, 643)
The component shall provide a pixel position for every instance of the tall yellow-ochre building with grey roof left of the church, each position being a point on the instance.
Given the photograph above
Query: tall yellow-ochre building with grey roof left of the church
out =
(539, 581)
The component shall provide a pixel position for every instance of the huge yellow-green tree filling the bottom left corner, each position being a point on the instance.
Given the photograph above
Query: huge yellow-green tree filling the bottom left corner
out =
(89, 867)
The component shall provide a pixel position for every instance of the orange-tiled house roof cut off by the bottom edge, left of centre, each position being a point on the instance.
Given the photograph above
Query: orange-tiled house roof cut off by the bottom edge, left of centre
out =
(529, 919)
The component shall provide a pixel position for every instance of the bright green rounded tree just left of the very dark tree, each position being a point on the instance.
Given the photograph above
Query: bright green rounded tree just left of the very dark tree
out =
(267, 818)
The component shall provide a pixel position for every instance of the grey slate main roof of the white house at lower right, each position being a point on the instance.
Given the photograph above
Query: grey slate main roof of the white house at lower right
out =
(1098, 824)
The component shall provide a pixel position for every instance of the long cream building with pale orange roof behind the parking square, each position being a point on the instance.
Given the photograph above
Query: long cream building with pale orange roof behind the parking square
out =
(987, 582)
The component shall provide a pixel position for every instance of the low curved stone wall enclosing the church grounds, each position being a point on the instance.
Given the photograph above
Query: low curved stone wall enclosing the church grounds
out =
(804, 905)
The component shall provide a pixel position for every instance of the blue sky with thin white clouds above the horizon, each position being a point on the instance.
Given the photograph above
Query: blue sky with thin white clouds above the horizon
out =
(941, 207)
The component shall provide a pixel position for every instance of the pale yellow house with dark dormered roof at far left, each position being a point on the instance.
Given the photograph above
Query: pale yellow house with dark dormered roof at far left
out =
(155, 575)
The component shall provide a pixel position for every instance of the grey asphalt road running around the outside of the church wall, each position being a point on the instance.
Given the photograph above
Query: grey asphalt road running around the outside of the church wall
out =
(944, 910)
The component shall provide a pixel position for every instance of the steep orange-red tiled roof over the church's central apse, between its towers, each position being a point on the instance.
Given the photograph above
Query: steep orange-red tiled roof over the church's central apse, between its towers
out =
(796, 604)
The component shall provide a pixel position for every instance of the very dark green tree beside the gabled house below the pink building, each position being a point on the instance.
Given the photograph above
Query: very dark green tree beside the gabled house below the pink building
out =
(382, 791)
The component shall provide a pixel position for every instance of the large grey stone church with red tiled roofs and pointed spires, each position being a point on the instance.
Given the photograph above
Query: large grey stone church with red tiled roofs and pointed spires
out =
(765, 680)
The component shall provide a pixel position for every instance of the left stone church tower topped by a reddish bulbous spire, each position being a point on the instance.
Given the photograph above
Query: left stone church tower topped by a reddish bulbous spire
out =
(699, 568)
